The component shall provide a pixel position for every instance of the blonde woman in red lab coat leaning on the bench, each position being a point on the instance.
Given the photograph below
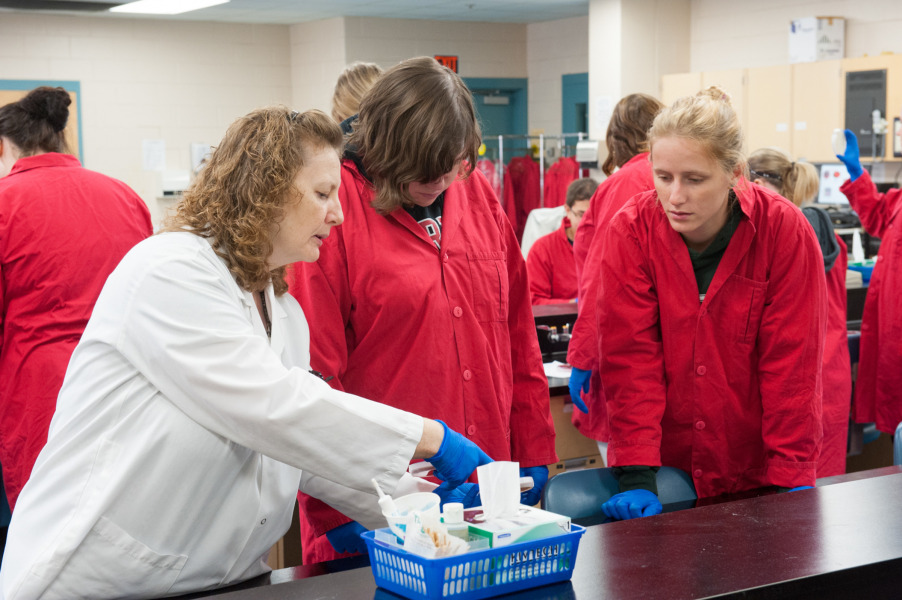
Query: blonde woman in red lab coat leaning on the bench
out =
(711, 335)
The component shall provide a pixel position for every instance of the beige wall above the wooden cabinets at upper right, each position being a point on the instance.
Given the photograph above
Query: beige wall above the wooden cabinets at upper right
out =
(729, 34)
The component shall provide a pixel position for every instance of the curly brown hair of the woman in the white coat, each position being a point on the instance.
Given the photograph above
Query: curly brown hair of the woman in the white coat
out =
(240, 193)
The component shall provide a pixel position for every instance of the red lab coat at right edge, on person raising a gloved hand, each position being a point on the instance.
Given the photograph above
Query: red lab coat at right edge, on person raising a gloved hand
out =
(878, 388)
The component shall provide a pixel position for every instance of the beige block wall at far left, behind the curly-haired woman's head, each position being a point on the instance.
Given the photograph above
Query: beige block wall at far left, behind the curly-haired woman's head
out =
(178, 81)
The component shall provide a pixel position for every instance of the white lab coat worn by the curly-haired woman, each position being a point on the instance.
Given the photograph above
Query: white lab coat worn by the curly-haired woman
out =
(180, 437)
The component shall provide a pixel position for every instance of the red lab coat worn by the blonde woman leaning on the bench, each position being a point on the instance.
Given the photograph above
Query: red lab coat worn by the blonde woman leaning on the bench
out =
(729, 389)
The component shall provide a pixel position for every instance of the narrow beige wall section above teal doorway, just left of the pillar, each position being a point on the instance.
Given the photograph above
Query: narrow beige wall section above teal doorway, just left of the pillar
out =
(553, 49)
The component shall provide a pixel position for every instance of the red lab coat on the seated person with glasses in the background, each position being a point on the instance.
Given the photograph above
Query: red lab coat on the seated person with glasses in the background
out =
(552, 272)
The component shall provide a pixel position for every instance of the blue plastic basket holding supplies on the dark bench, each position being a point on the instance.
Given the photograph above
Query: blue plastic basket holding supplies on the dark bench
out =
(478, 574)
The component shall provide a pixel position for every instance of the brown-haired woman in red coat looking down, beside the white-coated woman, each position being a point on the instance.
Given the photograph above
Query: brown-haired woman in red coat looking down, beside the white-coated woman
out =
(421, 298)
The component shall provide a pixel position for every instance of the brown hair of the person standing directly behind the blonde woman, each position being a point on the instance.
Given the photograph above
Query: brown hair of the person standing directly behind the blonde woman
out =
(627, 133)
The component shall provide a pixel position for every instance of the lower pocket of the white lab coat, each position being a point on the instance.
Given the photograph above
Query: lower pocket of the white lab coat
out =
(110, 563)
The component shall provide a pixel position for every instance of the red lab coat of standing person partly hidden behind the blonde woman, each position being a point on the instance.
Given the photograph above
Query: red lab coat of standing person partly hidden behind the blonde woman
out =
(630, 179)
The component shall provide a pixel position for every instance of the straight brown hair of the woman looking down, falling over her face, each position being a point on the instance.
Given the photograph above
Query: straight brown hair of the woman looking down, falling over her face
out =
(414, 124)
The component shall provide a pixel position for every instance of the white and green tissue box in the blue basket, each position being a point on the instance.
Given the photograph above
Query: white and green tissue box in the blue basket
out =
(530, 523)
